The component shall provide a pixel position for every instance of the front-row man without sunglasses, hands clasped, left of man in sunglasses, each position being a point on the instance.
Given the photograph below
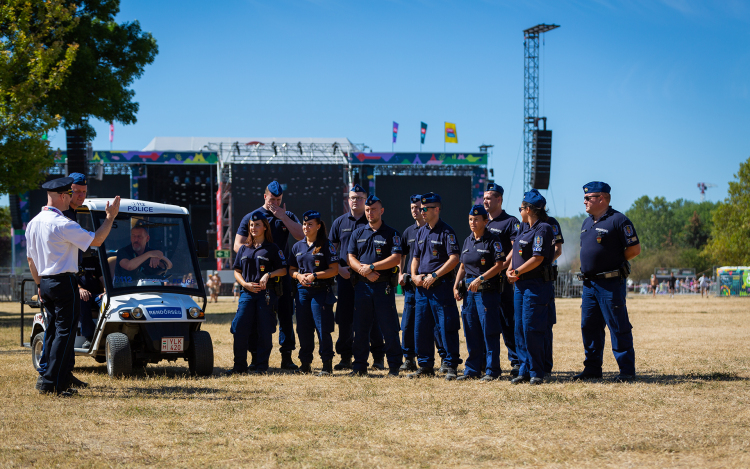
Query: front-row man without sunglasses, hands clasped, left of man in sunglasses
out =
(374, 256)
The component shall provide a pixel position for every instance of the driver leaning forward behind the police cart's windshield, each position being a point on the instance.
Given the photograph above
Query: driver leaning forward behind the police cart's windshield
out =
(137, 261)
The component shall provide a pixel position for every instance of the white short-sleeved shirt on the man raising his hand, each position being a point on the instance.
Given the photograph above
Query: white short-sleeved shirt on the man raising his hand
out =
(53, 241)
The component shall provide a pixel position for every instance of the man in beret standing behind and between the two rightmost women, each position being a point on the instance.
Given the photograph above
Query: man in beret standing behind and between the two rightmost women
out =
(505, 227)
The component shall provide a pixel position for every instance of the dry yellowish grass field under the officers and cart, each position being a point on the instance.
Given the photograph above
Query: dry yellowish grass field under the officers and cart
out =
(689, 408)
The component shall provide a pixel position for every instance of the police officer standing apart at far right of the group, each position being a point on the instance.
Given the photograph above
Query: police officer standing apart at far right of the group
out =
(608, 242)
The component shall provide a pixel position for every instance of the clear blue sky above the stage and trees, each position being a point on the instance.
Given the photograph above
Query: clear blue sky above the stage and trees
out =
(649, 96)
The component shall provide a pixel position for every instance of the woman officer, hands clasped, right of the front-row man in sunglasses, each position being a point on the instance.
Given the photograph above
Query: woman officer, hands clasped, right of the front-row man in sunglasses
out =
(478, 284)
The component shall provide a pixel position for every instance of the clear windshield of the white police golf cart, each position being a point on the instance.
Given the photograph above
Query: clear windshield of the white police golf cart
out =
(150, 252)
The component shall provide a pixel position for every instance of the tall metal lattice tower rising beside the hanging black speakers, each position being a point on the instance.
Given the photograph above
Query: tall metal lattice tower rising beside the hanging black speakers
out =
(531, 95)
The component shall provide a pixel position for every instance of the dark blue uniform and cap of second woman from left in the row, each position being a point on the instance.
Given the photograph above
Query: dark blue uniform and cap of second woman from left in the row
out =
(314, 304)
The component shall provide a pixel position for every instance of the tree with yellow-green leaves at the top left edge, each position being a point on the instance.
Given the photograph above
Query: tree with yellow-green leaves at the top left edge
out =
(35, 56)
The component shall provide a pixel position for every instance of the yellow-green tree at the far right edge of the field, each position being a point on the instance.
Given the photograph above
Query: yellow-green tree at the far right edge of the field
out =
(729, 243)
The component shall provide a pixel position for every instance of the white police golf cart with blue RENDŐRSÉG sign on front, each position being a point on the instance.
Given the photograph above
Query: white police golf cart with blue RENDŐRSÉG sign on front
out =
(147, 312)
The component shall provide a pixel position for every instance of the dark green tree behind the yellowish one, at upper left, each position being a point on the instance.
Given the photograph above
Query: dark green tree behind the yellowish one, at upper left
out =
(110, 58)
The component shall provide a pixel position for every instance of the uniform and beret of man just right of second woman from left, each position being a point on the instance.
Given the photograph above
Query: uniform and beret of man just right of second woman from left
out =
(341, 231)
